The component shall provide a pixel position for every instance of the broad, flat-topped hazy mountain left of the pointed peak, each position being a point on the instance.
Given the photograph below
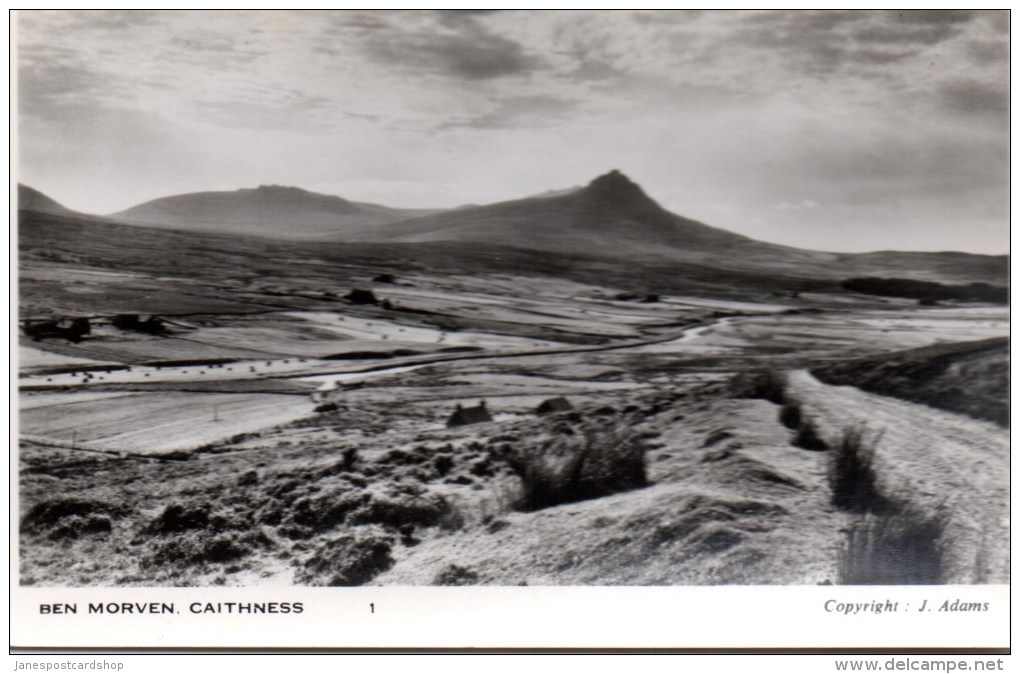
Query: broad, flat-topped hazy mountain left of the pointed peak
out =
(275, 212)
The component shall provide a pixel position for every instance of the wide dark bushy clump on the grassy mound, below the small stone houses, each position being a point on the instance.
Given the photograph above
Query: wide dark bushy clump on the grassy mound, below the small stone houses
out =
(601, 462)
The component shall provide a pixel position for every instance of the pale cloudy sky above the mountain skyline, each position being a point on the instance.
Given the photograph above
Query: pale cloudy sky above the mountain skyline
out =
(839, 131)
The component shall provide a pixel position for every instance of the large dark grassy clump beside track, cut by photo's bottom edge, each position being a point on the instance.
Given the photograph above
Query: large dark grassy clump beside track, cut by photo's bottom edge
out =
(902, 546)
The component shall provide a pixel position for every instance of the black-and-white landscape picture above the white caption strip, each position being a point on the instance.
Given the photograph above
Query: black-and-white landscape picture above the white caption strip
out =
(515, 299)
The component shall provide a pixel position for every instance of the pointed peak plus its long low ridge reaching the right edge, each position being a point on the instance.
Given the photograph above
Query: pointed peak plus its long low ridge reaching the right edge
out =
(614, 219)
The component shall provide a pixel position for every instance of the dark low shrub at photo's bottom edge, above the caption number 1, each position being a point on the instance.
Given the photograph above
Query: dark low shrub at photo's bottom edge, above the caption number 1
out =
(352, 559)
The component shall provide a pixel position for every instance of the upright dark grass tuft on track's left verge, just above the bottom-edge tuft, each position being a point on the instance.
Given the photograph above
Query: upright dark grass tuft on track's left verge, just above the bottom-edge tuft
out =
(852, 474)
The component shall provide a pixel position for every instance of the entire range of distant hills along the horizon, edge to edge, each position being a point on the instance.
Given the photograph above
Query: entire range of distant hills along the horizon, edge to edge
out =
(611, 220)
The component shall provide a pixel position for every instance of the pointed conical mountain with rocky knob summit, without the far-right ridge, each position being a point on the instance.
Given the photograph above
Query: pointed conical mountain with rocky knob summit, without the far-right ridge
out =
(610, 218)
